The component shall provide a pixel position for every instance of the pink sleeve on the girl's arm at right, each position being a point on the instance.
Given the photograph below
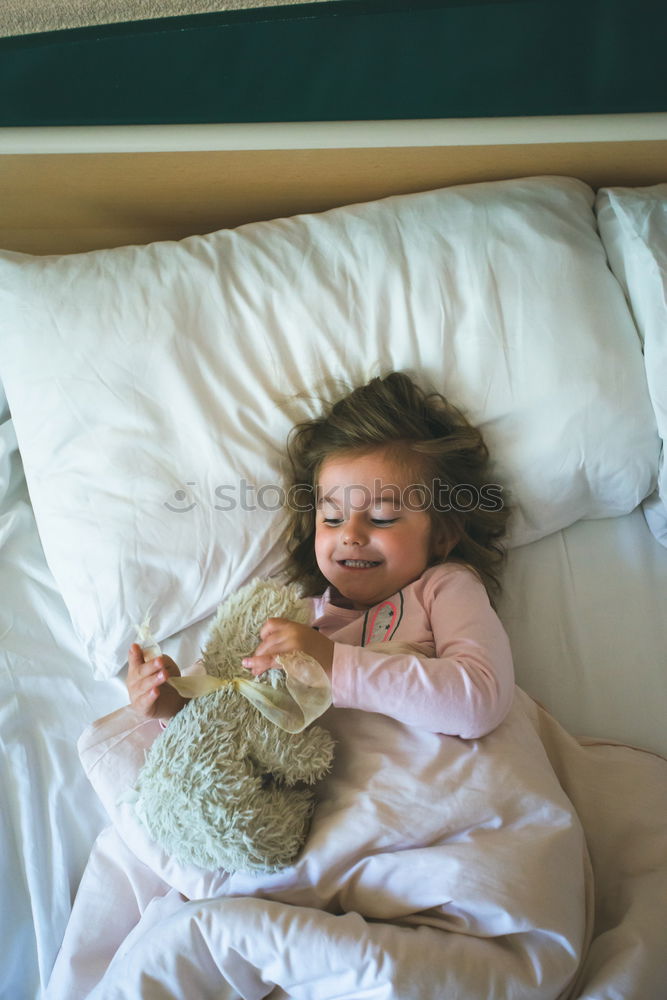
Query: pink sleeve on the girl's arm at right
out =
(465, 690)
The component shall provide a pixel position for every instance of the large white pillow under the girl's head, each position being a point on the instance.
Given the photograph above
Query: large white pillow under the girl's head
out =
(152, 386)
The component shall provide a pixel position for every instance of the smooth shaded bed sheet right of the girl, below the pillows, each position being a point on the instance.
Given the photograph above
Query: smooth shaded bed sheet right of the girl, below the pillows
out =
(585, 612)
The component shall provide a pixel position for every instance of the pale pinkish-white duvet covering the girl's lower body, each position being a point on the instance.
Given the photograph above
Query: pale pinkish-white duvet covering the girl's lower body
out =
(435, 867)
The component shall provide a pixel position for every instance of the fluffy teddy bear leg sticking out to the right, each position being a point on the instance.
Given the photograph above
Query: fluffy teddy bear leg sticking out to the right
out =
(293, 757)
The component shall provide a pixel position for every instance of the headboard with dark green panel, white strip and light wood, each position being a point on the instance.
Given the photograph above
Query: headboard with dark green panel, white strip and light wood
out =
(104, 134)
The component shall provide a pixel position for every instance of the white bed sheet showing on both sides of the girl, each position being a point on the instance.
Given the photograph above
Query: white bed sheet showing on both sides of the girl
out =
(583, 608)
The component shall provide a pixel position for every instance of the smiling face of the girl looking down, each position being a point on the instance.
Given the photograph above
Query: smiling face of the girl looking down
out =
(369, 540)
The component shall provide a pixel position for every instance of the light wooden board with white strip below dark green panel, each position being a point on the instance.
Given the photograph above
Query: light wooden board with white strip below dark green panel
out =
(73, 189)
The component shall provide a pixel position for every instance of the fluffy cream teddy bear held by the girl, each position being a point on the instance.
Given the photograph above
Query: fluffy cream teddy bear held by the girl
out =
(223, 787)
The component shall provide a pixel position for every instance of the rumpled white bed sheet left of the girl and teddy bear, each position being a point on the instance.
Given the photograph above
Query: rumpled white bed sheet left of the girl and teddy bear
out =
(48, 817)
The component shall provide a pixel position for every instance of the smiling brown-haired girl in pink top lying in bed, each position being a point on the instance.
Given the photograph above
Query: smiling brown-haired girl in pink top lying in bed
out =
(394, 523)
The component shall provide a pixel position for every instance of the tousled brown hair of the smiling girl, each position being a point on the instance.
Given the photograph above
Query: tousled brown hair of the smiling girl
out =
(431, 439)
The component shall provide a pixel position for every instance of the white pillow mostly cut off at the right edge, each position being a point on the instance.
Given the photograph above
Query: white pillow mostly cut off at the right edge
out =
(633, 227)
